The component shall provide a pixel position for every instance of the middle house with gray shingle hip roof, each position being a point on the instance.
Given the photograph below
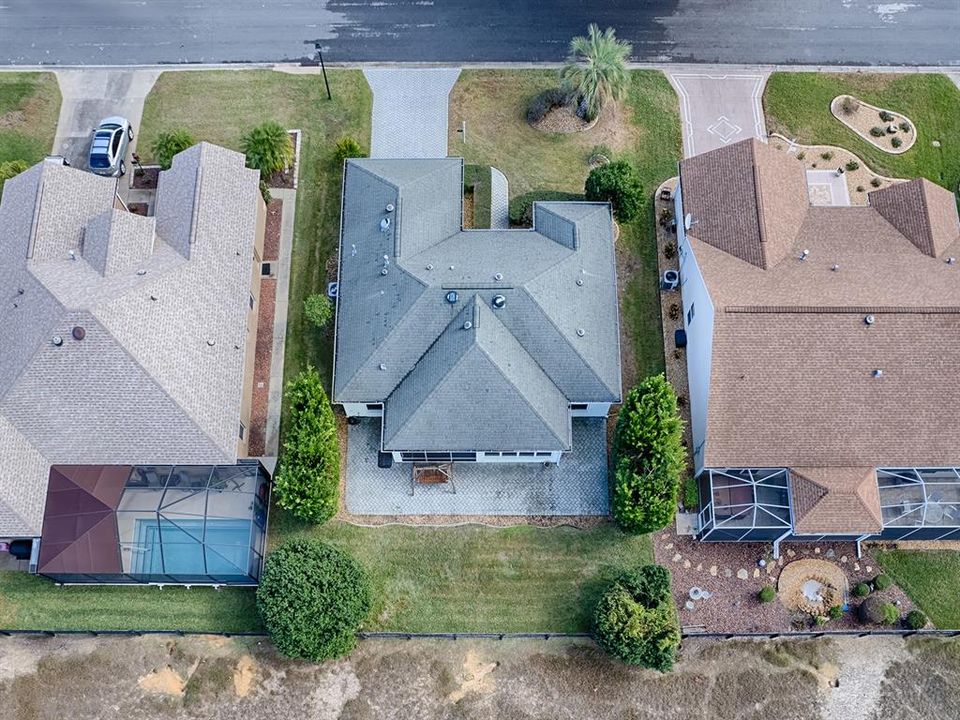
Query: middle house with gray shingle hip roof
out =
(472, 345)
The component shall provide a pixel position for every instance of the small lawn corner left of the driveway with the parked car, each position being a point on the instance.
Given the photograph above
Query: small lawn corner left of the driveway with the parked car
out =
(29, 108)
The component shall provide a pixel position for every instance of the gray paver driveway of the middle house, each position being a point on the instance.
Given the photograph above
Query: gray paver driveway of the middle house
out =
(410, 111)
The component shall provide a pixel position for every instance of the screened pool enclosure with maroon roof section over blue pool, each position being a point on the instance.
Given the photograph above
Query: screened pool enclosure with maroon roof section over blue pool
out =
(166, 524)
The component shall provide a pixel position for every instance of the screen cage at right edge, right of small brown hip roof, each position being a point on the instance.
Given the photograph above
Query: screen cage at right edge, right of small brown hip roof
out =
(920, 503)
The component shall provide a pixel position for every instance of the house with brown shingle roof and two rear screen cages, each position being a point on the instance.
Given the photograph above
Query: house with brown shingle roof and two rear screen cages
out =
(822, 351)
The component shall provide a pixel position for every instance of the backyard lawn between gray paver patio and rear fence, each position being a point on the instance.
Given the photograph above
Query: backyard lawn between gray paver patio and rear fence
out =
(481, 579)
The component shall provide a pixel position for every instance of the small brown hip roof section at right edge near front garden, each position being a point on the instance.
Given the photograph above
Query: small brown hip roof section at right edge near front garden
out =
(924, 212)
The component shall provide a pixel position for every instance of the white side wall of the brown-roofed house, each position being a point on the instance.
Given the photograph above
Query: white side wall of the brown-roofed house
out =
(699, 336)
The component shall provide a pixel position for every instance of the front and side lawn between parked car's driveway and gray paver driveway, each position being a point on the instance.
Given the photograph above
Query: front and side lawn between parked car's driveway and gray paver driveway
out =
(220, 106)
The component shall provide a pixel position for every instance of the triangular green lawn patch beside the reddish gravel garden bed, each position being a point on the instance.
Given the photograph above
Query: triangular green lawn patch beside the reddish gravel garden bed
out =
(930, 577)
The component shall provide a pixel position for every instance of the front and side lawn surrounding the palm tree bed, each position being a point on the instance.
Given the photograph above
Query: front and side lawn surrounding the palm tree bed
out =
(644, 129)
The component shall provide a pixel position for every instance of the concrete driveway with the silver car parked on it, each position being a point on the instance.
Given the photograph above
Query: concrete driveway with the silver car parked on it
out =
(91, 95)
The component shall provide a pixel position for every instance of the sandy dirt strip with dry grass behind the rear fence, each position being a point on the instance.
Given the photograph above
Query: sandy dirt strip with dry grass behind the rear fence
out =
(205, 677)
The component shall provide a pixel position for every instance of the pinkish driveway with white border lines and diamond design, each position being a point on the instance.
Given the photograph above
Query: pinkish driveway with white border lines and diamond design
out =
(719, 109)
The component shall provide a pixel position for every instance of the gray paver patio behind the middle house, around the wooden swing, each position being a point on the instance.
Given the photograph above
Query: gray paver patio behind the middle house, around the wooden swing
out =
(575, 487)
